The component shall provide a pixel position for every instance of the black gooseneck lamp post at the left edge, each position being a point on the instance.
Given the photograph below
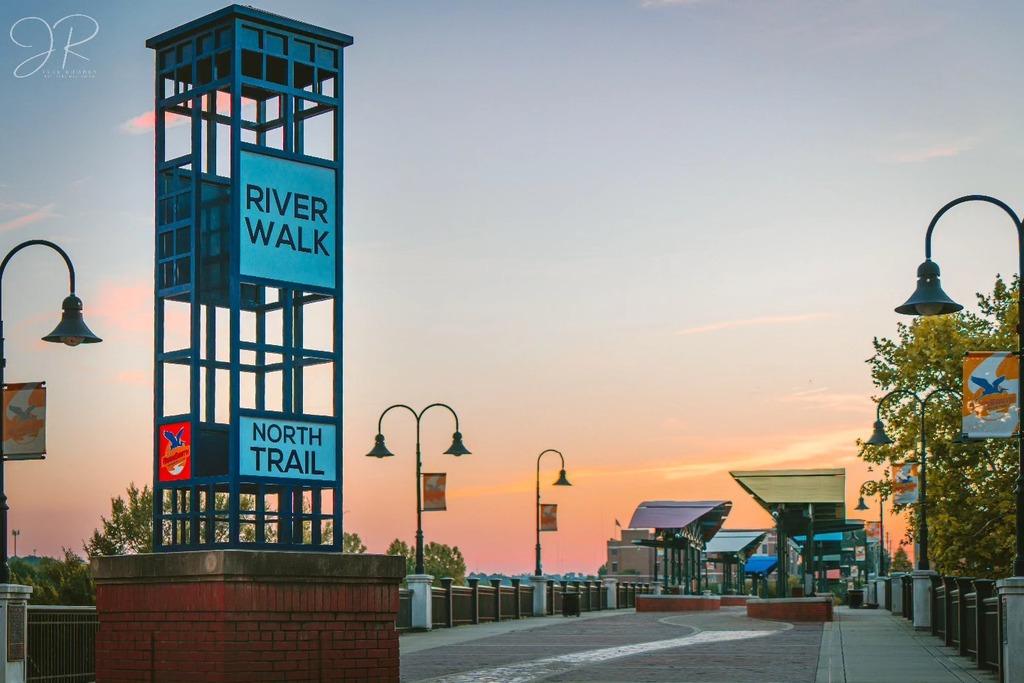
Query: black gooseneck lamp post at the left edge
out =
(71, 331)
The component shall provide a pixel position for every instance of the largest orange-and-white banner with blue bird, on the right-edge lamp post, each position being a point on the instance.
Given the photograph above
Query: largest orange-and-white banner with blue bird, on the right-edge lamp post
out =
(992, 382)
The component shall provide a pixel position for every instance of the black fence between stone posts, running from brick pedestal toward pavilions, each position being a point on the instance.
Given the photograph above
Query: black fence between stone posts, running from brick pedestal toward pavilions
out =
(480, 604)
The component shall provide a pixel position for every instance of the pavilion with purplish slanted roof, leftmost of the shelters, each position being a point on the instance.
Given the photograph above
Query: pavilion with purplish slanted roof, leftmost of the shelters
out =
(681, 532)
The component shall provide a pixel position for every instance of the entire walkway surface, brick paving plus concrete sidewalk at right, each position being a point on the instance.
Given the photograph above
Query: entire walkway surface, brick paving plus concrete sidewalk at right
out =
(861, 647)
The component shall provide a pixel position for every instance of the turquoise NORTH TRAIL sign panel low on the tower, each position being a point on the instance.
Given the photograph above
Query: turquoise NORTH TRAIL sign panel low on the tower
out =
(287, 449)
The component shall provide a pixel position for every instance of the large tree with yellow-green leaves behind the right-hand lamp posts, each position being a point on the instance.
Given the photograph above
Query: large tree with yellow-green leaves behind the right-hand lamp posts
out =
(970, 487)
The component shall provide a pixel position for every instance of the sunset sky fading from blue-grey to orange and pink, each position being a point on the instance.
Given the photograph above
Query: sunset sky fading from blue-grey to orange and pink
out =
(658, 236)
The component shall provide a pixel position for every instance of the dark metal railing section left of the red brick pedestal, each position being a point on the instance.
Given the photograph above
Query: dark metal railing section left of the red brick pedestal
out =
(61, 645)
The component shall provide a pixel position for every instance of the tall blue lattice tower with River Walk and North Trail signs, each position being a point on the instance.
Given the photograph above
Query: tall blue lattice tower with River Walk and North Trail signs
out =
(248, 325)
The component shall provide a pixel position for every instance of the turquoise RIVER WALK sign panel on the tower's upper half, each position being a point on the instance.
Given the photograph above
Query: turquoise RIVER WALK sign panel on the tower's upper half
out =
(287, 228)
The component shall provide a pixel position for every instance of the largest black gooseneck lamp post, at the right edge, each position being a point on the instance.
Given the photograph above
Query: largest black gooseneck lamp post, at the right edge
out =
(929, 300)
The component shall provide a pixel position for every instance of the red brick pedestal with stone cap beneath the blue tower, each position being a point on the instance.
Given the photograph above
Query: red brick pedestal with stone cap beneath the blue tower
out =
(221, 617)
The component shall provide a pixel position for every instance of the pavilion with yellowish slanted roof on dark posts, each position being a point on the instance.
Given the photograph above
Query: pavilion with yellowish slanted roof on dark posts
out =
(802, 503)
